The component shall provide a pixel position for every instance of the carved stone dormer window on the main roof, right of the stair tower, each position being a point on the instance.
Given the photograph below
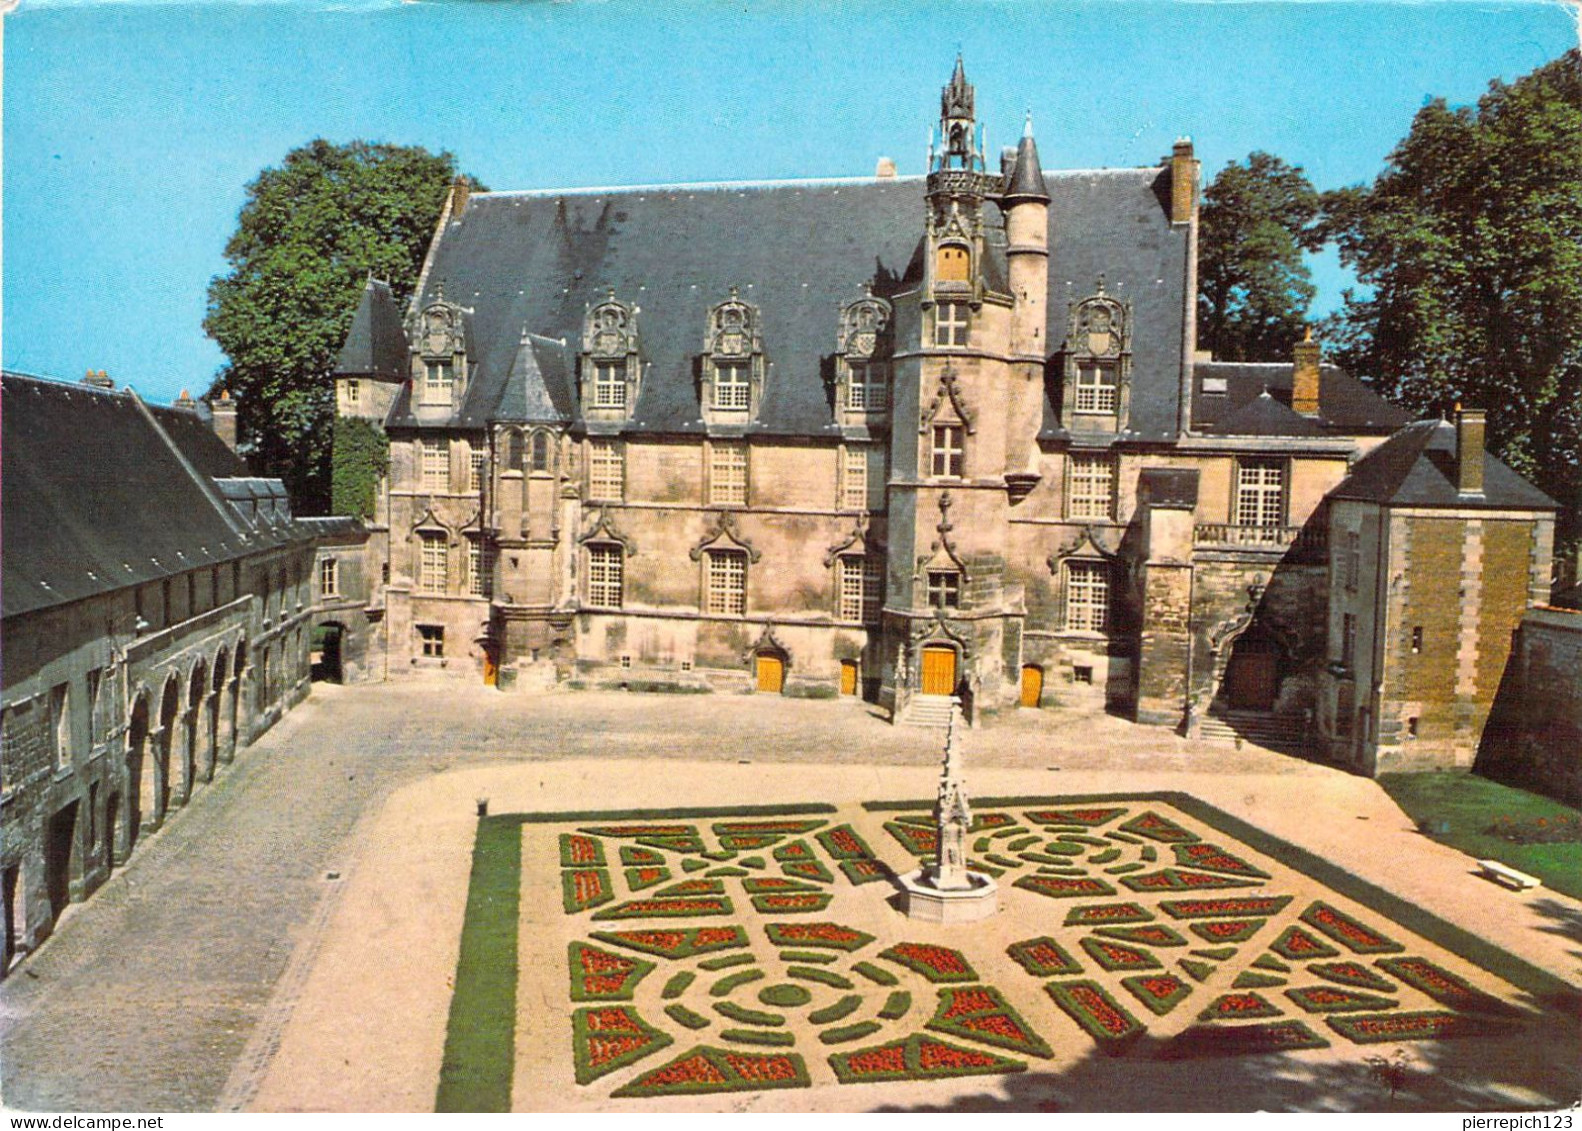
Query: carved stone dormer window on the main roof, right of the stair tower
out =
(1097, 365)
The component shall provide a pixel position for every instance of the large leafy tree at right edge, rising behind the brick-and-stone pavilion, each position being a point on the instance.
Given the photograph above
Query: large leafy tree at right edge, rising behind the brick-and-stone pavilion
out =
(1469, 246)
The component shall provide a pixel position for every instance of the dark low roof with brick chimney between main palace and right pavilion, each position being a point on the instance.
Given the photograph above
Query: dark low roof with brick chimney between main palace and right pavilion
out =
(1345, 406)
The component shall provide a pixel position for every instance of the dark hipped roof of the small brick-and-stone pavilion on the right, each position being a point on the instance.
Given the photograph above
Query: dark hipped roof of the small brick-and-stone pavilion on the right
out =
(1417, 467)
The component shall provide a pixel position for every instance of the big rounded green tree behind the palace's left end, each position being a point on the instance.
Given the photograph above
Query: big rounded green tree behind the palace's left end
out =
(308, 238)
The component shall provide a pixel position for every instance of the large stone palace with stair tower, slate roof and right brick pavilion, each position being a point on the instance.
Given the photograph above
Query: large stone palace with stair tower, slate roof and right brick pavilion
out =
(918, 439)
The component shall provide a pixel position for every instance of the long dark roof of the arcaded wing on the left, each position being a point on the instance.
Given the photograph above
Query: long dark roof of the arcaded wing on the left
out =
(104, 491)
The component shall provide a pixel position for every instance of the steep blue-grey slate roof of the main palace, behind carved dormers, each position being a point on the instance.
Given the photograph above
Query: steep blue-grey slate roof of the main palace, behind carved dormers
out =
(800, 251)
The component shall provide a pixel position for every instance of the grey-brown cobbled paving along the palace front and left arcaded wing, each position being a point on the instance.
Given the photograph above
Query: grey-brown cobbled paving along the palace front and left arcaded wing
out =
(149, 993)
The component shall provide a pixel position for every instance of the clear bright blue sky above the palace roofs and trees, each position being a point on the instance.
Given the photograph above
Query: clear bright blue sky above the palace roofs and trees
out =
(134, 129)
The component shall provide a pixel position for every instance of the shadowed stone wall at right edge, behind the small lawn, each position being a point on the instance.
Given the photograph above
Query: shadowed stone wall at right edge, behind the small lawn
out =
(1535, 730)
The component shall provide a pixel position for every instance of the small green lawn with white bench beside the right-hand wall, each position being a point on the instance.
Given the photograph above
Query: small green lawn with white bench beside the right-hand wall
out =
(1470, 804)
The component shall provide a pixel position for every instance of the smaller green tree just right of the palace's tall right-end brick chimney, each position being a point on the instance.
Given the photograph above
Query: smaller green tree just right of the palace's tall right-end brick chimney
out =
(1254, 286)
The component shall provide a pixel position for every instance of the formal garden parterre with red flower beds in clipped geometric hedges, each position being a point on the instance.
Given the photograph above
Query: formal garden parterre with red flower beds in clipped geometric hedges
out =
(738, 953)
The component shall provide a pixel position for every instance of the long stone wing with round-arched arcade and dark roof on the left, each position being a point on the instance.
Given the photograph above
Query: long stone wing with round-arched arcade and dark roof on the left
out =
(124, 698)
